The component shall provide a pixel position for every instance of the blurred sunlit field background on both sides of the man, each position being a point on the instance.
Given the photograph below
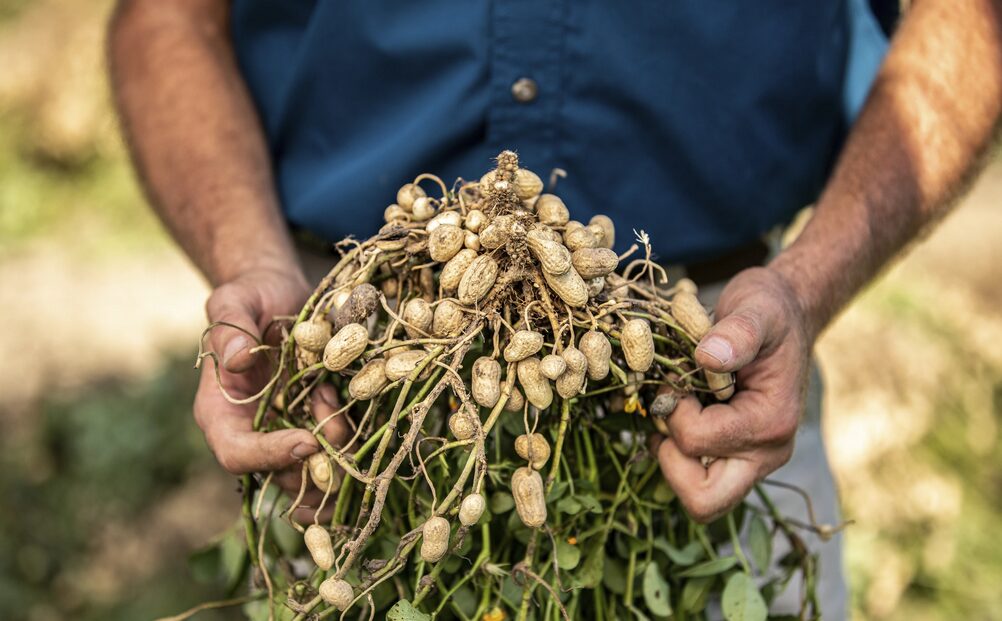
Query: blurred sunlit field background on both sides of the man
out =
(107, 488)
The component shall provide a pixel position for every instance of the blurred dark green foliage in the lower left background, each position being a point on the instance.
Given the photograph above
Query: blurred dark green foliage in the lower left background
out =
(100, 466)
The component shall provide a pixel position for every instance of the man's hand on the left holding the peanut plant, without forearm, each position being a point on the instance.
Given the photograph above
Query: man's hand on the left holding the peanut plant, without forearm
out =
(250, 302)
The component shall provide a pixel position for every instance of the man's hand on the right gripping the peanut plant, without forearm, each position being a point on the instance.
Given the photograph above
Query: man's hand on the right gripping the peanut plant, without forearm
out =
(761, 334)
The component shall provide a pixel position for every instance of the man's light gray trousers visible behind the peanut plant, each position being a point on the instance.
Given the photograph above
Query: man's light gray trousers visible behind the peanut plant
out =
(808, 469)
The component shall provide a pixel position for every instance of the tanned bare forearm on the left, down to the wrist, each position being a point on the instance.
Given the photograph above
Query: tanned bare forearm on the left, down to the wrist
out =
(195, 136)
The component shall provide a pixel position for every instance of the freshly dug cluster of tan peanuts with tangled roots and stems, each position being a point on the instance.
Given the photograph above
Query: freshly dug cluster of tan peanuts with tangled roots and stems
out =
(478, 342)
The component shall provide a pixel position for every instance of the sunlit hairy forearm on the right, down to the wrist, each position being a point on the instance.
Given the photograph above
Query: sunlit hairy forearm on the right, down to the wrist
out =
(929, 122)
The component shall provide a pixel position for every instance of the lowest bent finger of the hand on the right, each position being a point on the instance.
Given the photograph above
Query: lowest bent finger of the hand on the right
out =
(707, 493)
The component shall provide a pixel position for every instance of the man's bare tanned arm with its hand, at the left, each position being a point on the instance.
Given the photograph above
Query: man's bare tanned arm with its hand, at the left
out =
(201, 153)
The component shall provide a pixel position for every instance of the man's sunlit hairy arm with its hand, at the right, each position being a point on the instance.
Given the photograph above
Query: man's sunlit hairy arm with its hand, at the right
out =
(929, 121)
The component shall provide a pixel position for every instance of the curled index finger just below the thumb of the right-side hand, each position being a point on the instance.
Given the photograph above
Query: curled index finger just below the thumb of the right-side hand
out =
(750, 421)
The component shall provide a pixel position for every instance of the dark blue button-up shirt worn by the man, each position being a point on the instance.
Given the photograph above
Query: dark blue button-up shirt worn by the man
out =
(704, 123)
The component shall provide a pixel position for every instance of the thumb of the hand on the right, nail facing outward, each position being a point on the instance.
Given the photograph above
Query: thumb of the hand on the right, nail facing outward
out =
(732, 343)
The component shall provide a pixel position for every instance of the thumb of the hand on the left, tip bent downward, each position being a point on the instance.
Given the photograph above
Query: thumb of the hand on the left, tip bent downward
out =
(238, 306)
